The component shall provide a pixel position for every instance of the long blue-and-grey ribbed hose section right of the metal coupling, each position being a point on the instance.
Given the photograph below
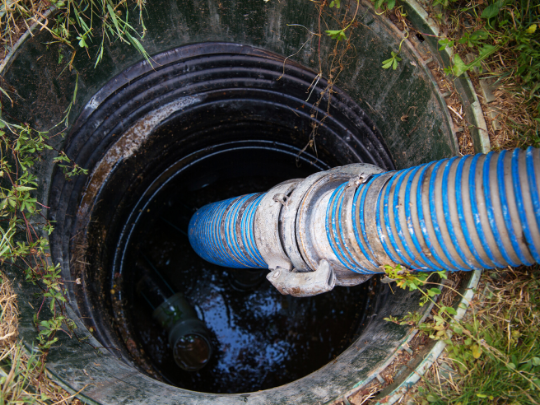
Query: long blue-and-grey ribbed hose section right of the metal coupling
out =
(476, 212)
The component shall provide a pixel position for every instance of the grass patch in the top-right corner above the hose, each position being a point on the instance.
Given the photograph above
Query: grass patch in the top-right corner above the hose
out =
(504, 38)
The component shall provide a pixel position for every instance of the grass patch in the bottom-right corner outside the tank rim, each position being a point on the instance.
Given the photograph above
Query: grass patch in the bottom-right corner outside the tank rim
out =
(496, 351)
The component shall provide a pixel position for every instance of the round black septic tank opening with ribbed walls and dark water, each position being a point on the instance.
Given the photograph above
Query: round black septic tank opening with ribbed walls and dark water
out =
(214, 121)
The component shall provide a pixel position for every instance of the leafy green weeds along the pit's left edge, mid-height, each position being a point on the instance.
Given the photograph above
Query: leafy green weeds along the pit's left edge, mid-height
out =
(22, 244)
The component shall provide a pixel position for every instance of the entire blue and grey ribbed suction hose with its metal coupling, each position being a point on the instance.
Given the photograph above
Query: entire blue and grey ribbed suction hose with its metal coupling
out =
(343, 225)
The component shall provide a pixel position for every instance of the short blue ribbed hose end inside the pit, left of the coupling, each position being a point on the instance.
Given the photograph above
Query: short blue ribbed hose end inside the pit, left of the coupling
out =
(222, 232)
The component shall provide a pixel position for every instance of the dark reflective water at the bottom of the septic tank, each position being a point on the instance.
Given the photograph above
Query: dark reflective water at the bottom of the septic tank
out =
(261, 339)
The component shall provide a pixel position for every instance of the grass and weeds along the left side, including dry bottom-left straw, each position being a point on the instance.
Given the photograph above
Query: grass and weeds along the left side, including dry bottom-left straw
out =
(23, 377)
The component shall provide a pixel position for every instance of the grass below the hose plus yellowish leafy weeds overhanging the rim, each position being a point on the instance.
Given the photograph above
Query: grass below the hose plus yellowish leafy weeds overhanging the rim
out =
(495, 350)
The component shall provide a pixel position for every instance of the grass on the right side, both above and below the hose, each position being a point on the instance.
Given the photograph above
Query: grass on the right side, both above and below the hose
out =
(495, 352)
